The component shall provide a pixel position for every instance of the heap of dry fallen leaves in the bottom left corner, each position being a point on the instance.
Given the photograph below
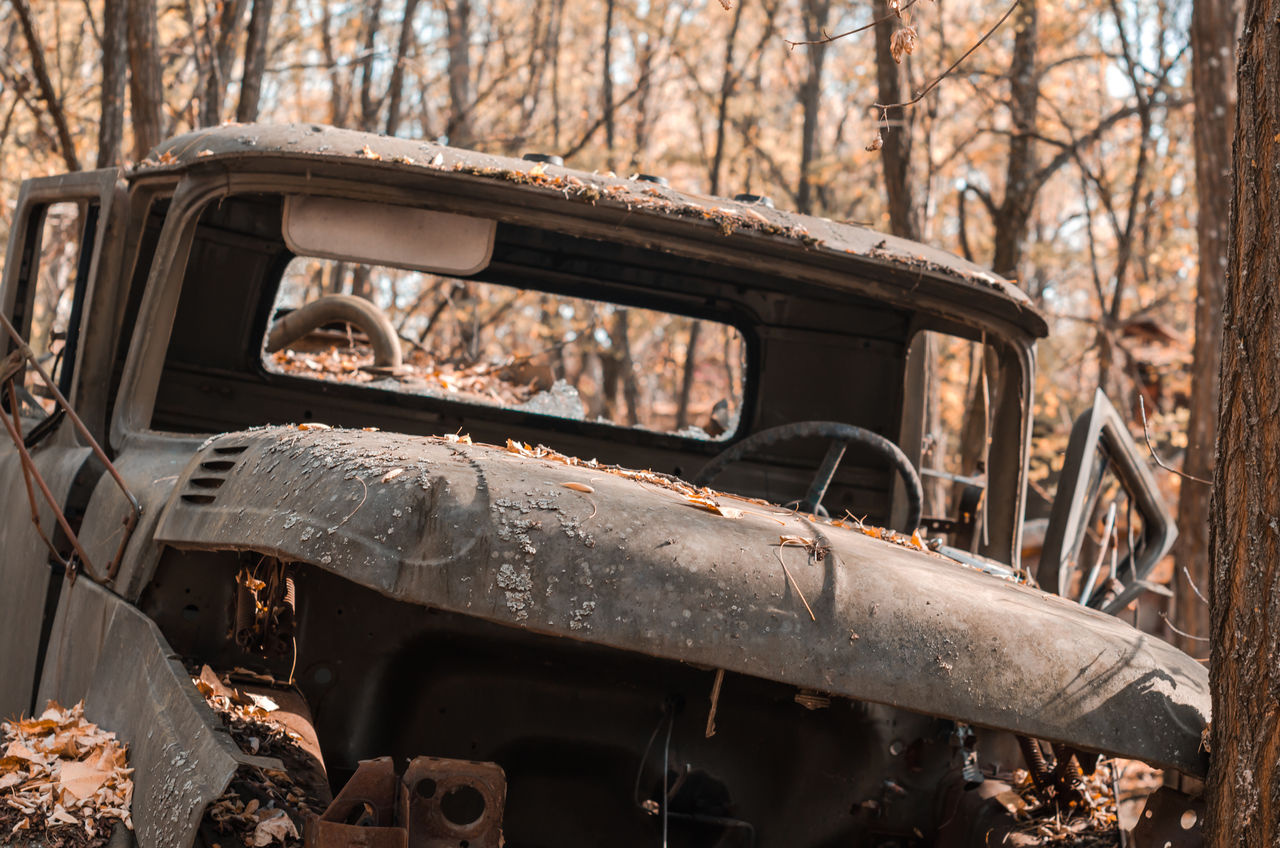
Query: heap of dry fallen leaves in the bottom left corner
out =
(63, 781)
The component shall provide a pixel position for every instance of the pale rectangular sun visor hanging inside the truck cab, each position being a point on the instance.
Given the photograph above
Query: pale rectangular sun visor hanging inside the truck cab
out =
(386, 235)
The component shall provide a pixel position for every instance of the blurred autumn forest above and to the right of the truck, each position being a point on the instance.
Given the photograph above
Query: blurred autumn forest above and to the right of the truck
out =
(1062, 152)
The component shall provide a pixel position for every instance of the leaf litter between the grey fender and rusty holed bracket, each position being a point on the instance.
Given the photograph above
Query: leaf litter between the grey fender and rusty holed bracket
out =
(263, 806)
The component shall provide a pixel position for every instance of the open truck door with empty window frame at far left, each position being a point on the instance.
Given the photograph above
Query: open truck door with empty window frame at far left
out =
(53, 267)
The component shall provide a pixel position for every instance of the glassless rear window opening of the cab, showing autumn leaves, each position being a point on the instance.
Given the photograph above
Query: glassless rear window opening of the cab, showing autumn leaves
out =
(486, 344)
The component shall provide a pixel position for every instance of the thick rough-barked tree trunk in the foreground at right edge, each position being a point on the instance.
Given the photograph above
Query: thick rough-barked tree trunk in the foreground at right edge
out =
(1245, 540)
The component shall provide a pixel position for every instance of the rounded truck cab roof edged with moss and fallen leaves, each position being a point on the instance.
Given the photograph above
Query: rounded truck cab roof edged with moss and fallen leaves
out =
(944, 273)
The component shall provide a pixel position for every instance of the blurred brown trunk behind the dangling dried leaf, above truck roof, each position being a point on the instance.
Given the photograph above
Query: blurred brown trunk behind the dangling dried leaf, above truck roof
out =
(904, 215)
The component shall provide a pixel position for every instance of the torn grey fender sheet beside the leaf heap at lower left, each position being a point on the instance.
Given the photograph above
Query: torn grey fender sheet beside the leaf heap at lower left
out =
(182, 759)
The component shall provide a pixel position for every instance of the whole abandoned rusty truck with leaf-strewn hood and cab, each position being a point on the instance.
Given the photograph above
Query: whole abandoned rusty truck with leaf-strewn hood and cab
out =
(420, 445)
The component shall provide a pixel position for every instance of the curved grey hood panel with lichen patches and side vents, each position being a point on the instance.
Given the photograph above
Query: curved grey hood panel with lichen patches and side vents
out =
(487, 532)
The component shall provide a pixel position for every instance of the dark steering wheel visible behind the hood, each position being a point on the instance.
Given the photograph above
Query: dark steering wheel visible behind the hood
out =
(842, 436)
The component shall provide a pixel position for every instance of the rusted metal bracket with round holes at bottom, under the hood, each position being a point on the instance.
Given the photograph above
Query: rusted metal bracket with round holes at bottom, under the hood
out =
(438, 804)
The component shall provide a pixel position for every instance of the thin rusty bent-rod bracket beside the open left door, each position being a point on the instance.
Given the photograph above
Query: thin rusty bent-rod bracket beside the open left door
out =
(13, 368)
